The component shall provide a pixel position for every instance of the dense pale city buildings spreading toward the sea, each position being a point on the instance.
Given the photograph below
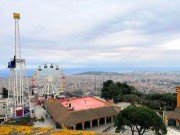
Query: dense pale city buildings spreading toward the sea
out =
(146, 82)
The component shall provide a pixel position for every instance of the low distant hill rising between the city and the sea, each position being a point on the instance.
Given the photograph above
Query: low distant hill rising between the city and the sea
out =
(97, 73)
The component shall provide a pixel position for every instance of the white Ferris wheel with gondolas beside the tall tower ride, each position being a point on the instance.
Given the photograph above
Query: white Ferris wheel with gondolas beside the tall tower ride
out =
(48, 80)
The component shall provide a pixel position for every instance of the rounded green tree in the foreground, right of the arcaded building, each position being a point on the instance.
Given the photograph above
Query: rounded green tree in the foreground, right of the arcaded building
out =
(140, 120)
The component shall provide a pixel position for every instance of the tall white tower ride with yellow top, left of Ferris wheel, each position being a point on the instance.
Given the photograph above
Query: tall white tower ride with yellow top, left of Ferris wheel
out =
(18, 104)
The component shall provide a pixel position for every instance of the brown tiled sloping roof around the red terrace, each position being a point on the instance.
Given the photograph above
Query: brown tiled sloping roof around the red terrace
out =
(64, 116)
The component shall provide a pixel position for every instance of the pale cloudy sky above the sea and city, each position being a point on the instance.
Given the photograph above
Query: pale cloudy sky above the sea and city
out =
(93, 34)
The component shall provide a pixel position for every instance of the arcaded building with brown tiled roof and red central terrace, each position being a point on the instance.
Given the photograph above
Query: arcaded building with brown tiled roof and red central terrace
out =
(81, 113)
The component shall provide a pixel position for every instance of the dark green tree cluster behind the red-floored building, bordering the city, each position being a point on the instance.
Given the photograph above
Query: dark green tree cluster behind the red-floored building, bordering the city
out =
(123, 92)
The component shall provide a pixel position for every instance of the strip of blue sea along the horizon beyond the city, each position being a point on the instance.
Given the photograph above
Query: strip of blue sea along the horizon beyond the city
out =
(69, 71)
